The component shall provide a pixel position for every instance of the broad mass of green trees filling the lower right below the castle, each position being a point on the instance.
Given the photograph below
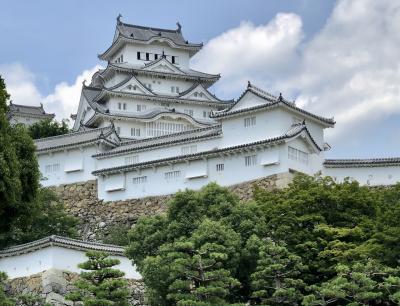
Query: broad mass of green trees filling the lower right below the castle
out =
(316, 242)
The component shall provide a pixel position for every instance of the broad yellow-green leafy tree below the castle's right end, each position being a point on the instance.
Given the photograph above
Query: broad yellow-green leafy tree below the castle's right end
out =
(323, 222)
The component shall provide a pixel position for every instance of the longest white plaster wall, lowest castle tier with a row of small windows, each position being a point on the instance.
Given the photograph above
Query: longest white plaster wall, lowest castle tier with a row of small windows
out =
(234, 172)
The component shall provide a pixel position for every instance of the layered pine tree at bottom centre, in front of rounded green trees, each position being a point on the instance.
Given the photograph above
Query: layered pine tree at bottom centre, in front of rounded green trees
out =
(201, 265)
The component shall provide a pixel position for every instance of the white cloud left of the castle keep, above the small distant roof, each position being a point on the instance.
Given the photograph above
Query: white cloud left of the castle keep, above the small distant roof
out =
(63, 101)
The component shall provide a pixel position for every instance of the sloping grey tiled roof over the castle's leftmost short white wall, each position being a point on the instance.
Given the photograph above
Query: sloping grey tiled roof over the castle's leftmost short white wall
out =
(74, 139)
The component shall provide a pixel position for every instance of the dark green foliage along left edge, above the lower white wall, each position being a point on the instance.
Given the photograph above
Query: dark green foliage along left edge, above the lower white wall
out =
(27, 211)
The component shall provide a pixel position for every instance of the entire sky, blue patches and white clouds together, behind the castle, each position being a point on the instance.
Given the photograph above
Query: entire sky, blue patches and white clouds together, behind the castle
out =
(339, 59)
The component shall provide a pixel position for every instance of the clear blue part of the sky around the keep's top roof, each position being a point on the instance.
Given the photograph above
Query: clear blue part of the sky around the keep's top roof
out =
(59, 39)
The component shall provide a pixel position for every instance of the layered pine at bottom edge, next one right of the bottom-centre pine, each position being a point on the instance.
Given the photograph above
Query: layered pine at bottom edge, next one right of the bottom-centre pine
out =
(276, 280)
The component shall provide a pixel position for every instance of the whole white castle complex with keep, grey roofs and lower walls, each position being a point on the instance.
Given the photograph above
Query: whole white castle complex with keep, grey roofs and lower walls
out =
(148, 125)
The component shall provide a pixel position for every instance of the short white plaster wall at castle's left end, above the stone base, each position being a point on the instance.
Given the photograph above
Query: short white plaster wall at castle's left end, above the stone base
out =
(63, 158)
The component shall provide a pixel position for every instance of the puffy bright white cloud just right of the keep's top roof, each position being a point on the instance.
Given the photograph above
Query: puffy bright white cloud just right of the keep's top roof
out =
(249, 52)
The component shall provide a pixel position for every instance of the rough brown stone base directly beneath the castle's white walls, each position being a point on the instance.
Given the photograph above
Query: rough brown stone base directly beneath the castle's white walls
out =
(98, 216)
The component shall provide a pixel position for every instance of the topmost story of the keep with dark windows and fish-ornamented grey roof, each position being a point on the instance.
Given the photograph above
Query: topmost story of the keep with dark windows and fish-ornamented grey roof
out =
(138, 45)
